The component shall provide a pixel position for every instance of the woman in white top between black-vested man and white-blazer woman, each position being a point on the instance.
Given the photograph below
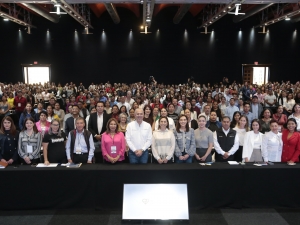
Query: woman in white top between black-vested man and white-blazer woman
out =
(241, 128)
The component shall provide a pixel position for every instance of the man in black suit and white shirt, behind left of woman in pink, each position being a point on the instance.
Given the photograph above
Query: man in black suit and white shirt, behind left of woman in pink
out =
(97, 126)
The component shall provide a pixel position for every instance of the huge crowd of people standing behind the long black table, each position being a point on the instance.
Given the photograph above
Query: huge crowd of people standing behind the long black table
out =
(138, 123)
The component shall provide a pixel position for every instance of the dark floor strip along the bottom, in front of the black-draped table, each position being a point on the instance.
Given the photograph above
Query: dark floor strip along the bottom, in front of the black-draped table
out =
(201, 217)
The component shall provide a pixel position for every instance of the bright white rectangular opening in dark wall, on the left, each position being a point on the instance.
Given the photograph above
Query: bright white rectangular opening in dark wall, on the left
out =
(35, 75)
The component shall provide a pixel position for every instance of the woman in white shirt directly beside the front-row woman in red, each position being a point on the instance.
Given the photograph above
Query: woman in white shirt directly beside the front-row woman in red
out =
(271, 148)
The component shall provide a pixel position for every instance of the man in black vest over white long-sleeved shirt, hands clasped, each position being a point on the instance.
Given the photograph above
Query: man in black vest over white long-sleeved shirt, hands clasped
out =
(226, 142)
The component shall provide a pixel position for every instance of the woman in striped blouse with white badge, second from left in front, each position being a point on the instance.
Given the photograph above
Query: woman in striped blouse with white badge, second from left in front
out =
(30, 141)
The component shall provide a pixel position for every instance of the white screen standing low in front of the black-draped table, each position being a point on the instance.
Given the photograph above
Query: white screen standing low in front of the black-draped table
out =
(155, 201)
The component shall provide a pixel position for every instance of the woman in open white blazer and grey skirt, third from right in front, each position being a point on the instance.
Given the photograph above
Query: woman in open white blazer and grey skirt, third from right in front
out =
(253, 143)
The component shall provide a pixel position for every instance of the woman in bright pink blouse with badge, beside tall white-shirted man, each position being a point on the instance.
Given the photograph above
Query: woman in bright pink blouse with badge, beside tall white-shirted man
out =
(113, 143)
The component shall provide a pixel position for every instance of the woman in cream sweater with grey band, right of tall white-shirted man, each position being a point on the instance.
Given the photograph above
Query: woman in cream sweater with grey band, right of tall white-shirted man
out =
(163, 142)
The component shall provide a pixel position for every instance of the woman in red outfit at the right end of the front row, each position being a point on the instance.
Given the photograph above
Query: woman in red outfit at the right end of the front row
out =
(291, 142)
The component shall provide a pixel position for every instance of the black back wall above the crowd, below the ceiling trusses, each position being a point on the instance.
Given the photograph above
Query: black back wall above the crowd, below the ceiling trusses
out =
(171, 54)
